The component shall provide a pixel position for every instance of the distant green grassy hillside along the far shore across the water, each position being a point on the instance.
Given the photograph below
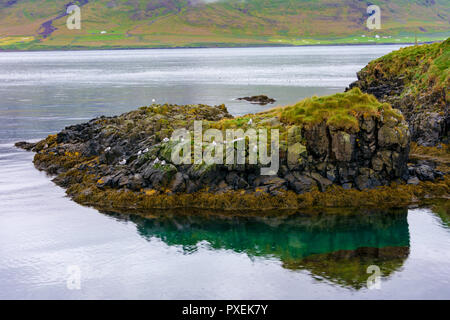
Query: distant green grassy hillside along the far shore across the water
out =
(171, 23)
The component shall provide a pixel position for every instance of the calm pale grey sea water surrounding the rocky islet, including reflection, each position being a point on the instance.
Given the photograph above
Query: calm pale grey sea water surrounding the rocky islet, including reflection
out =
(44, 236)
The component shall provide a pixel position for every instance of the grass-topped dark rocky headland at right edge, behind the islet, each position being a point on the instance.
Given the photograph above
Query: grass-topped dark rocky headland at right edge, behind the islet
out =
(415, 80)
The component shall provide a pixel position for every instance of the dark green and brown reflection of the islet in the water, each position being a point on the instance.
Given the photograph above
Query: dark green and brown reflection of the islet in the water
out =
(332, 247)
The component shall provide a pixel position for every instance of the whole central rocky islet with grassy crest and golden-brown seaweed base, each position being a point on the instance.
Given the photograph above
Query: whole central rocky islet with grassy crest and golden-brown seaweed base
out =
(339, 151)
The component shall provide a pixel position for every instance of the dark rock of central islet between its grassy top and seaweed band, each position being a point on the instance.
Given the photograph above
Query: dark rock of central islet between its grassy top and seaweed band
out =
(133, 152)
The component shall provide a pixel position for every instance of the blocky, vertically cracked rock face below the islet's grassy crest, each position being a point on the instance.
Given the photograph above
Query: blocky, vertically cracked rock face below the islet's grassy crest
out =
(371, 153)
